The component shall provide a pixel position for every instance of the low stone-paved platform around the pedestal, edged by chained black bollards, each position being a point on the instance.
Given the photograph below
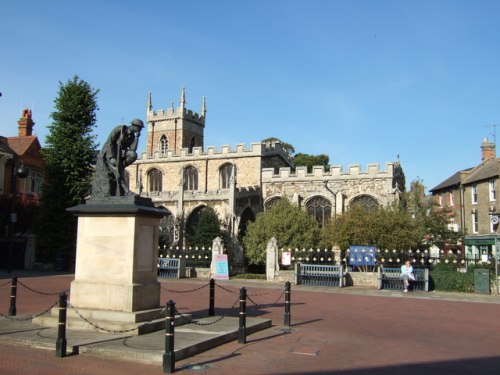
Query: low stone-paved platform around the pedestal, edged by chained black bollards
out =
(190, 339)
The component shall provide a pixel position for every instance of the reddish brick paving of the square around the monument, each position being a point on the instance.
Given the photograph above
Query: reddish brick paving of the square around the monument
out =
(347, 331)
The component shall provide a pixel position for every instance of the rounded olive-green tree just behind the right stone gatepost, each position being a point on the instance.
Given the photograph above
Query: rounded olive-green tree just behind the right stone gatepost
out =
(291, 226)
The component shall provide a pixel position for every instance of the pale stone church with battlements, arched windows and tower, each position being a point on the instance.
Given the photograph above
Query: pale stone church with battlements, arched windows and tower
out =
(178, 172)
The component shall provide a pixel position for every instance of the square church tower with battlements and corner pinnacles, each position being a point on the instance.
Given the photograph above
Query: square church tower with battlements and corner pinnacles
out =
(174, 128)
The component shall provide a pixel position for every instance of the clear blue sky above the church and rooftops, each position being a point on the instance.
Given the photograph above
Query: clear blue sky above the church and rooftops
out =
(362, 81)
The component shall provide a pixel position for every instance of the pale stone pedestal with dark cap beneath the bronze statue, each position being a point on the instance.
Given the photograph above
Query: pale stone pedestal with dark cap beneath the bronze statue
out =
(116, 266)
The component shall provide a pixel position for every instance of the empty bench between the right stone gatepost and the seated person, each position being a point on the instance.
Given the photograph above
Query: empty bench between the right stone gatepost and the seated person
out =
(322, 275)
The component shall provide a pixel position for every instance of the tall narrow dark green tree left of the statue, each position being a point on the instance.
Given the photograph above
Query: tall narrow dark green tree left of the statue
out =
(69, 152)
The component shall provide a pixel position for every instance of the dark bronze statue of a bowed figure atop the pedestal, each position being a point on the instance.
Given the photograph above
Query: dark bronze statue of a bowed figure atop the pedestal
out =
(119, 151)
